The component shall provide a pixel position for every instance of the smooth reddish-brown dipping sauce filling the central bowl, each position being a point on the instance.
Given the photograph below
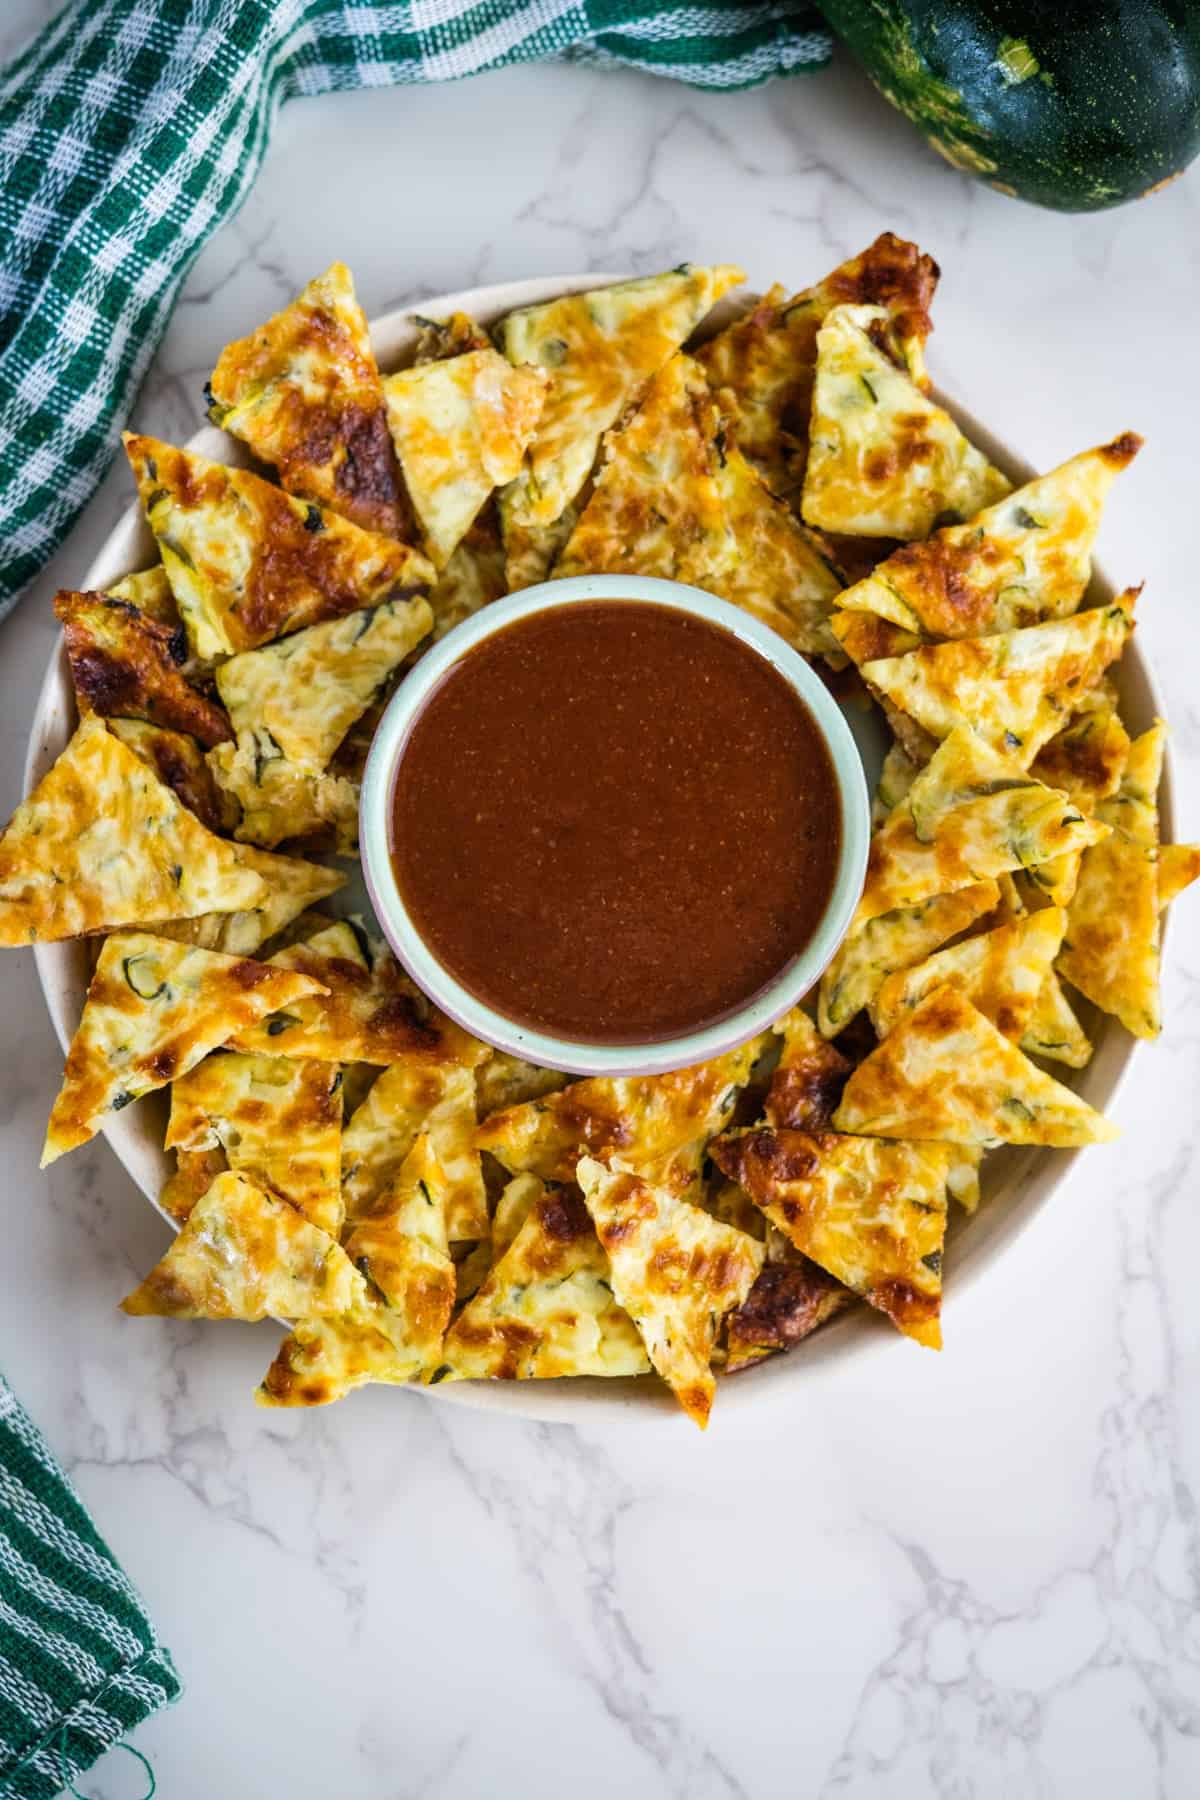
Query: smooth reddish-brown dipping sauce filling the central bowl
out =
(616, 823)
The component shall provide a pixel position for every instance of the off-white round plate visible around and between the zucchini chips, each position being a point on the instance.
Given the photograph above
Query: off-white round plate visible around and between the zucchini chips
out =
(1017, 1183)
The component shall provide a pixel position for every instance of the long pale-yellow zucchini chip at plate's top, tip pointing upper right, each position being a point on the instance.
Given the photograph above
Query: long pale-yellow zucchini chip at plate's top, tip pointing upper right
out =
(600, 350)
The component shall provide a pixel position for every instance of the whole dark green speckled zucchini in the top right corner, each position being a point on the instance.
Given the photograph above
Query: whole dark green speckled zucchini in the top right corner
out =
(1070, 105)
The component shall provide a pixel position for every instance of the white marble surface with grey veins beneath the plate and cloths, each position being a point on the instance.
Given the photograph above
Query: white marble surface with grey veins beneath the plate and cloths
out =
(969, 1576)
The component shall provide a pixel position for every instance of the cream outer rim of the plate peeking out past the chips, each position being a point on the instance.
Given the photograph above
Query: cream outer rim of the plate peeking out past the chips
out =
(573, 1401)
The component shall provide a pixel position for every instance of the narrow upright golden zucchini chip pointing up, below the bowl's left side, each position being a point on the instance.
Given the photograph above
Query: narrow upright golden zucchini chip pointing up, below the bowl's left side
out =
(404, 1254)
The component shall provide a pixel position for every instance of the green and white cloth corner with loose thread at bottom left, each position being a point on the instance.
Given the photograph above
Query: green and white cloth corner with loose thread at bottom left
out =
(80, 1662)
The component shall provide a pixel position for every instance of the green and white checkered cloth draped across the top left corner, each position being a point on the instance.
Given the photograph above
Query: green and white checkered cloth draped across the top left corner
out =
(132, 129)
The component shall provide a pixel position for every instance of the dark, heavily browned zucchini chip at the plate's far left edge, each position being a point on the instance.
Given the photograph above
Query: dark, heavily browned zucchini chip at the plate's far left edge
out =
(129, 665)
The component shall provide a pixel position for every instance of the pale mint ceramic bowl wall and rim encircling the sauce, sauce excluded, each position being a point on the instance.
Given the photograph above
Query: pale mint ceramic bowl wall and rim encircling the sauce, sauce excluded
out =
(539, 1047)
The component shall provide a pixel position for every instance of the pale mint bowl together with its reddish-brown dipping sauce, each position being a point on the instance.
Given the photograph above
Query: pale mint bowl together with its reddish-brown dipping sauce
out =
(614, 825)
